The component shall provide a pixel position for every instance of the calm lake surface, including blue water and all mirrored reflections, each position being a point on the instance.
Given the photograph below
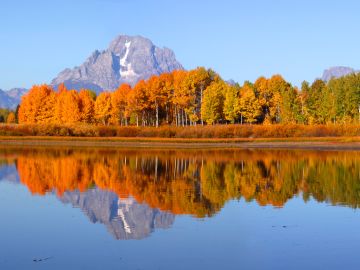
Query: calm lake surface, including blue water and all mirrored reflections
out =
(190, 209)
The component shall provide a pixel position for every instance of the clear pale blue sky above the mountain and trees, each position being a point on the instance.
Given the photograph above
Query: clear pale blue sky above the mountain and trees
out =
(241, 40)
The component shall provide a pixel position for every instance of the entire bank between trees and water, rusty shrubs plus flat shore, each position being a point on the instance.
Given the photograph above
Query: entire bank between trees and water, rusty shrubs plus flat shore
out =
(331, 137)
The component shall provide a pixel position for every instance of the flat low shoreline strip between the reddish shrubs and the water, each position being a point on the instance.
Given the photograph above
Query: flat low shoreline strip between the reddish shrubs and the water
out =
(305, 143)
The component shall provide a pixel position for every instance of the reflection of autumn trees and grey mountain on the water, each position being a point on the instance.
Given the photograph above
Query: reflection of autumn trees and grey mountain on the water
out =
(133, 192)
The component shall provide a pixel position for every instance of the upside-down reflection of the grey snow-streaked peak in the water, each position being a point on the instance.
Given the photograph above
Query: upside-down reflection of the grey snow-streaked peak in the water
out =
(124, 218)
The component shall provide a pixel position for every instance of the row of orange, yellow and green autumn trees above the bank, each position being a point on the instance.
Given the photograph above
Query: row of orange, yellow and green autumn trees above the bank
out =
(199, 96)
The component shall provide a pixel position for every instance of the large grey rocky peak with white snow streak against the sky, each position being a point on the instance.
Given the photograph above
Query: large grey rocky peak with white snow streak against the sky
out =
(128, 59)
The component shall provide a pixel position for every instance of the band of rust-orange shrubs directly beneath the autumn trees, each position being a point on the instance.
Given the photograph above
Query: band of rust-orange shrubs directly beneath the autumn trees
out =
(189, 132)
